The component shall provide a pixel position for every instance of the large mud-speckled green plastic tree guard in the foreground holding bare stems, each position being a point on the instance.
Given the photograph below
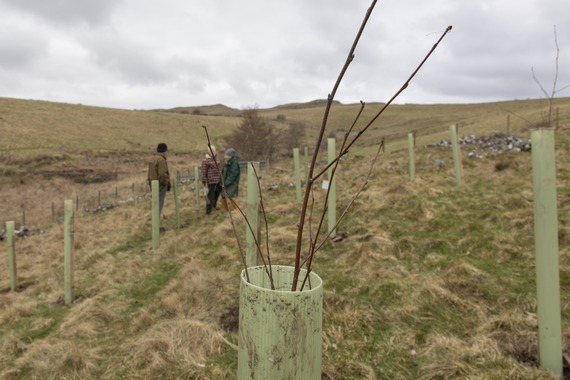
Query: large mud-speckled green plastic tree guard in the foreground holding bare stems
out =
(280, 331)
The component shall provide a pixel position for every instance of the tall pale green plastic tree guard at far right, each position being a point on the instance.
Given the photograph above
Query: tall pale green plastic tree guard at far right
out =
(546, 250)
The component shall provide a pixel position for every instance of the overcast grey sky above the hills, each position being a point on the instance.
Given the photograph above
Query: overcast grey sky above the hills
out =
(146, 54)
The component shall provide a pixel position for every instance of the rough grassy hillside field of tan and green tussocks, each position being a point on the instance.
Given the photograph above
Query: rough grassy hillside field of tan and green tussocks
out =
(433, 281)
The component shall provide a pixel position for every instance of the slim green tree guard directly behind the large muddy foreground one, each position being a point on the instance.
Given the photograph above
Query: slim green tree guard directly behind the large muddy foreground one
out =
(252, 215)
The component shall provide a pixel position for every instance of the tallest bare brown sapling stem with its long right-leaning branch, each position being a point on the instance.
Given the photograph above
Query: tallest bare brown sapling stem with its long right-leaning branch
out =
(346, 146)
